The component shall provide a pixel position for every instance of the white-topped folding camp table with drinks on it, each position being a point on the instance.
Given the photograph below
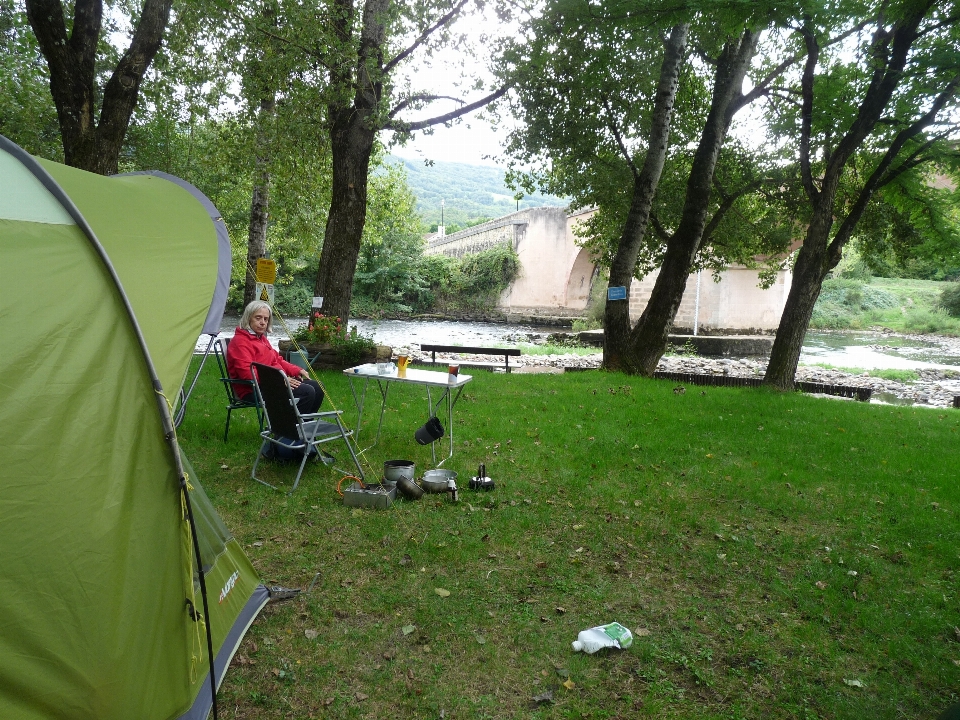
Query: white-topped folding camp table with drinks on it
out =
(430, 379)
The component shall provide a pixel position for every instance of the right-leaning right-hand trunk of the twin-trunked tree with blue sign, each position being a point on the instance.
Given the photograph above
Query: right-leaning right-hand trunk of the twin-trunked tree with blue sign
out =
(648, 341)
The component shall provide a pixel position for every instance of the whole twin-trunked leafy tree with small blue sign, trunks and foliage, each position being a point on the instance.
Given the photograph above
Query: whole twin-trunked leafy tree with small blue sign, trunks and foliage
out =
(599, 115)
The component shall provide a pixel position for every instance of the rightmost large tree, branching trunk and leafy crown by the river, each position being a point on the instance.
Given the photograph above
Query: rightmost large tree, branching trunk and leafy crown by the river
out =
(875, 109)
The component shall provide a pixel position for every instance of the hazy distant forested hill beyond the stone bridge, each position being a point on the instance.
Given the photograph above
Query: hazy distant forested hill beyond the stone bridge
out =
(469, 192)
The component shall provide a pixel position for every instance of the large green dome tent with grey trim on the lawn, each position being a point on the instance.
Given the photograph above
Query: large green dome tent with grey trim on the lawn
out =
(107, 284)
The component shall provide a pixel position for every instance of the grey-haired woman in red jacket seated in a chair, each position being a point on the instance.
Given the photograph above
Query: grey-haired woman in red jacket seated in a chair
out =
(250, 344)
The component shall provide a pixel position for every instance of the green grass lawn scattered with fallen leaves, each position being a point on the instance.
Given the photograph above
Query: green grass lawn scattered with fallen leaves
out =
(777, 556)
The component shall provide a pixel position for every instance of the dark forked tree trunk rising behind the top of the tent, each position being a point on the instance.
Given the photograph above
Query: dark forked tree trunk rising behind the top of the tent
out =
(90, 144)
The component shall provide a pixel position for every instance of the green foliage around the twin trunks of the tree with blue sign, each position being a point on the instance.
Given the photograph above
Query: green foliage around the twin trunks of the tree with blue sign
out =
(585, 87)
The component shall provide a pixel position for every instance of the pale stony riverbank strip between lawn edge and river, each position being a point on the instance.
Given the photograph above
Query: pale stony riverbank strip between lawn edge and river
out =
(934, 388)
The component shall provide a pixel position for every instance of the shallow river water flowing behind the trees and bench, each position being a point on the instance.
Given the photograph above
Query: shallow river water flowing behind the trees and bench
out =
(863, 350)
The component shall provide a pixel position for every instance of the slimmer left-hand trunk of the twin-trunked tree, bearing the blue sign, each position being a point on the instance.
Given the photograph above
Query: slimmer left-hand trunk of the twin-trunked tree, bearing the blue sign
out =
(616, 316)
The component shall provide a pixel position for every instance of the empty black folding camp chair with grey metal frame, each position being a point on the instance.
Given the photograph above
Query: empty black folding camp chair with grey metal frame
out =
(287, 428)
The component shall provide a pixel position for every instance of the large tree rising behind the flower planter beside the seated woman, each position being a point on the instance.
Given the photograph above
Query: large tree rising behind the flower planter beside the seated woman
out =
(370, 44)
